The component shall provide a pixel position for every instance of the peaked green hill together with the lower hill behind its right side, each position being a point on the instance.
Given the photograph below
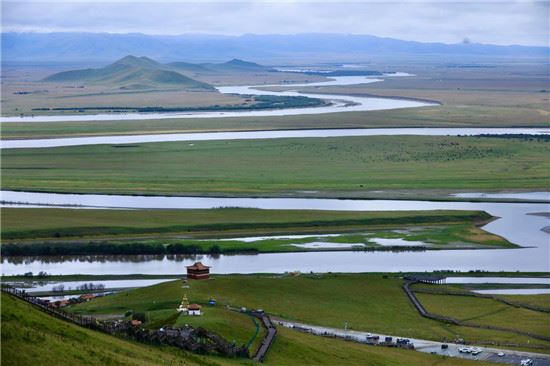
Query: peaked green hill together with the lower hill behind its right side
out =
(131, 72)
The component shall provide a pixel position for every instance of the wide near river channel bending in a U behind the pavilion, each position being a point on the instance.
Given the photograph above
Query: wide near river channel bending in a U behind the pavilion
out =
(516, 223)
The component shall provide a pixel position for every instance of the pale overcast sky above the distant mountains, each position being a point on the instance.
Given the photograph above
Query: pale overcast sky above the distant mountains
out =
(497, 22)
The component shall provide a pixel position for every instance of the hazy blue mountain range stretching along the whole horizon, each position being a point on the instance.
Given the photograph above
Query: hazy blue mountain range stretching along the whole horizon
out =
(101, 47)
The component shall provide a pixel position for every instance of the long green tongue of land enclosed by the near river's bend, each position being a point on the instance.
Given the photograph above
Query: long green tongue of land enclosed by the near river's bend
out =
(29, 223)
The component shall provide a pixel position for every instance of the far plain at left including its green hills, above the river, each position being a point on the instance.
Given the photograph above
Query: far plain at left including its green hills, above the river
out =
(135, 84)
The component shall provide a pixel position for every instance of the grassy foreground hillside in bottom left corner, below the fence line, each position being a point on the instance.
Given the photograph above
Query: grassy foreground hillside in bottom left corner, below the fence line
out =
(30, 337)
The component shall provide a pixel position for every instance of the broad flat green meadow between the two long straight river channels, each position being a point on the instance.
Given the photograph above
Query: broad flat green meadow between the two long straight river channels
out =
(254, 167)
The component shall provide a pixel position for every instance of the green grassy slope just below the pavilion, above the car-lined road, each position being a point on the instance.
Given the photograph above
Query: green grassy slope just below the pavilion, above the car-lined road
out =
(365, 302)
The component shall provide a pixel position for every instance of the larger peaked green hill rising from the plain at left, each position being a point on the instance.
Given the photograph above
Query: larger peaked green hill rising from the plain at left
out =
(131, 72)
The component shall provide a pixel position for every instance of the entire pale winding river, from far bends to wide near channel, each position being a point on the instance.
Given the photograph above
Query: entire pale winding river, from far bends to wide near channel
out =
(516, 222)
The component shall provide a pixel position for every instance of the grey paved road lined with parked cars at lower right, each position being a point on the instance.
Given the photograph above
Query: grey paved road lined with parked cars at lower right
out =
(510, 357)
